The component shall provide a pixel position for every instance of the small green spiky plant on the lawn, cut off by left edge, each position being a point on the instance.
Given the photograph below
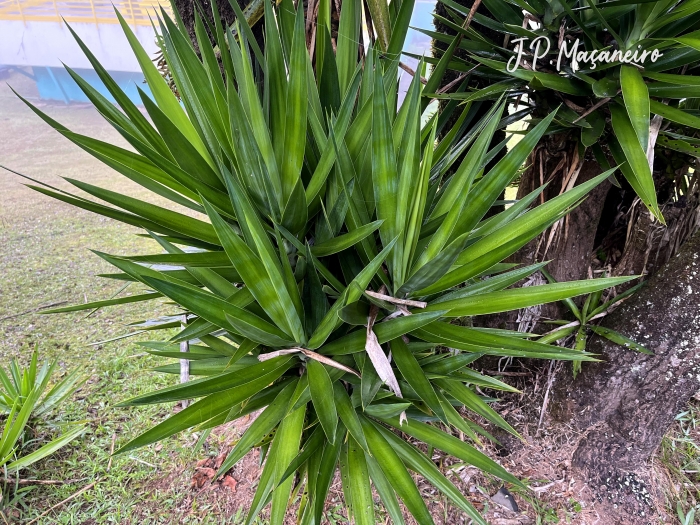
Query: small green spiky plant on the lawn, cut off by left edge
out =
(25, 401)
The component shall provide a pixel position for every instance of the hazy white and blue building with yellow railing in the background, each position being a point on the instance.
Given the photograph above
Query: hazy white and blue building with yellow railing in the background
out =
(35, 42)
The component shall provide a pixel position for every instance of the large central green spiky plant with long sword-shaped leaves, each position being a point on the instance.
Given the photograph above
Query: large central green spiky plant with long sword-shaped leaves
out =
(327, 245)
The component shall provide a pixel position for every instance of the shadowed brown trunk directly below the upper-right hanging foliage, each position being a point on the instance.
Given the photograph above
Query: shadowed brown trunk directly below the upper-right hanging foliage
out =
(610, 232)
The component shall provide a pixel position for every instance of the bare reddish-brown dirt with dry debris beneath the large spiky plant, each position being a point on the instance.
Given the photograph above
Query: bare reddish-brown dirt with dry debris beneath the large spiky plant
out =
(556, 495)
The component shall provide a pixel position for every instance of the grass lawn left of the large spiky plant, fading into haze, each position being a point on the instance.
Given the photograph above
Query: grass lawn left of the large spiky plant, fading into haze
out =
(45, 259)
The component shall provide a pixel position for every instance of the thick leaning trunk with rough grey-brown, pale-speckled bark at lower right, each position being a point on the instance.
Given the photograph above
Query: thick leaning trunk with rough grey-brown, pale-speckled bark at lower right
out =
(624, 404)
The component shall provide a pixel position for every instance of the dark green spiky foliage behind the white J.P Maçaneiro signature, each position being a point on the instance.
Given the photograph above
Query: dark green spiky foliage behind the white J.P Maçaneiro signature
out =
(609, 104)
